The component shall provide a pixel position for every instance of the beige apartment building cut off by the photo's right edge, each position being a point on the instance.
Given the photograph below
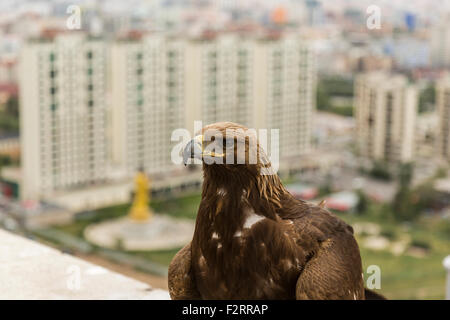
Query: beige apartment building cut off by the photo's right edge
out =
(443, 108)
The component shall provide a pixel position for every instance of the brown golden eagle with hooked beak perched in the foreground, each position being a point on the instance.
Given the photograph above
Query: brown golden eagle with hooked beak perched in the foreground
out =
(253, 239)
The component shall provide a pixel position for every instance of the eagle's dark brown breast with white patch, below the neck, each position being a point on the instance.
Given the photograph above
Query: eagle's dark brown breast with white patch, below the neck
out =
(254, 258)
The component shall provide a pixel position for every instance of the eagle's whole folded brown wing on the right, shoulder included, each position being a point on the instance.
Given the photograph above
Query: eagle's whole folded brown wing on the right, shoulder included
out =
(333, 268)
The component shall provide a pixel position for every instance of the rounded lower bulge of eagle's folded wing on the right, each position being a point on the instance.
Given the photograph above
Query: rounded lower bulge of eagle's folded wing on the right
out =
(334, 272)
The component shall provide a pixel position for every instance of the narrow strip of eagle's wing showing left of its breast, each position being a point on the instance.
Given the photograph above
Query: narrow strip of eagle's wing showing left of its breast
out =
(181, 281)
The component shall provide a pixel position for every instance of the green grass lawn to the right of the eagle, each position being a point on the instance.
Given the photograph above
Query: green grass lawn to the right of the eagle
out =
(405, 276)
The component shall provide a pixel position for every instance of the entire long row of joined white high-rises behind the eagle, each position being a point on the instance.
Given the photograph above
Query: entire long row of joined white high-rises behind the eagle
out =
(72, 138)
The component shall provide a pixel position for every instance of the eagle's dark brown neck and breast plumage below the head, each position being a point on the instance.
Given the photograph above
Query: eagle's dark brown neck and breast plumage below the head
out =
(230, 238)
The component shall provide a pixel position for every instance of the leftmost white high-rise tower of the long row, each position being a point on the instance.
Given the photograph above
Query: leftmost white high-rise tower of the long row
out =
(63, 114)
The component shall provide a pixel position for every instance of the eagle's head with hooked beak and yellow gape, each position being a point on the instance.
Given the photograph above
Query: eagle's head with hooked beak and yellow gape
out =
(228, 151)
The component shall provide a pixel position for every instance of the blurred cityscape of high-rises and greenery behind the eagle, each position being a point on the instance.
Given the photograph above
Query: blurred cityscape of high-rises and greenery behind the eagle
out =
(91, 92)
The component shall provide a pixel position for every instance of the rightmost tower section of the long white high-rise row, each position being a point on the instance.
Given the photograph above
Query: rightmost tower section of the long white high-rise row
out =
(284, 91)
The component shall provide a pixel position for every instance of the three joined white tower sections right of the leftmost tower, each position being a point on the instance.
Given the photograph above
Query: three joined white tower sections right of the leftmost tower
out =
(162, 83)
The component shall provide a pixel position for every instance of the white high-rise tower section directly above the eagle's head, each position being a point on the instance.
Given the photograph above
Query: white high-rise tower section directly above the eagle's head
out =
(219, 78)
